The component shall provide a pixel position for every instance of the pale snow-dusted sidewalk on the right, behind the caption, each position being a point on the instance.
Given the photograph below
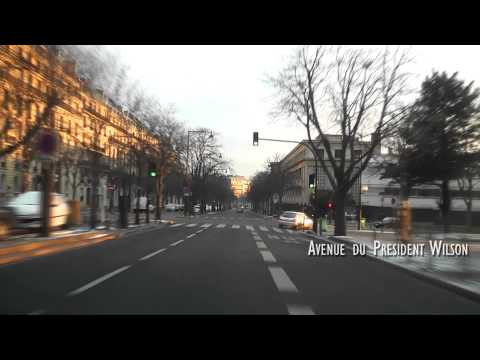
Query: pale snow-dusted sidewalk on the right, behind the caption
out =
(458, 273)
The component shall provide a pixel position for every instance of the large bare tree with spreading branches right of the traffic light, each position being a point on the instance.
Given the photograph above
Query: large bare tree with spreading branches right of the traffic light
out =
(360, 91)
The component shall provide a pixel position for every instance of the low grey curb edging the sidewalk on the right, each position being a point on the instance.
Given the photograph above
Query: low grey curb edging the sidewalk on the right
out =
(472, 295)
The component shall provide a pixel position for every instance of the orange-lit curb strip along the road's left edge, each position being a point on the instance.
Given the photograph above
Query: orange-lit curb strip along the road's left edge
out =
(21, 252)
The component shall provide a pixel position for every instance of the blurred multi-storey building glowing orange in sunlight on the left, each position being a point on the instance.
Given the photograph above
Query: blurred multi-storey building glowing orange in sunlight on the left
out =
(84, 119)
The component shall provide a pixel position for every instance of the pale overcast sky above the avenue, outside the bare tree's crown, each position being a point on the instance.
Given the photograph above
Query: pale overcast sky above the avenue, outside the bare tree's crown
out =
(223, 88)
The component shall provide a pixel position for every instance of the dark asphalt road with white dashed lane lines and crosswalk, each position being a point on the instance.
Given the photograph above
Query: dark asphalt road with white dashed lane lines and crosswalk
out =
(225, 263)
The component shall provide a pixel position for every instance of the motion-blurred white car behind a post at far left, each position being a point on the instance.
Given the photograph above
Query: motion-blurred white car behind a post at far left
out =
(26, 209)
